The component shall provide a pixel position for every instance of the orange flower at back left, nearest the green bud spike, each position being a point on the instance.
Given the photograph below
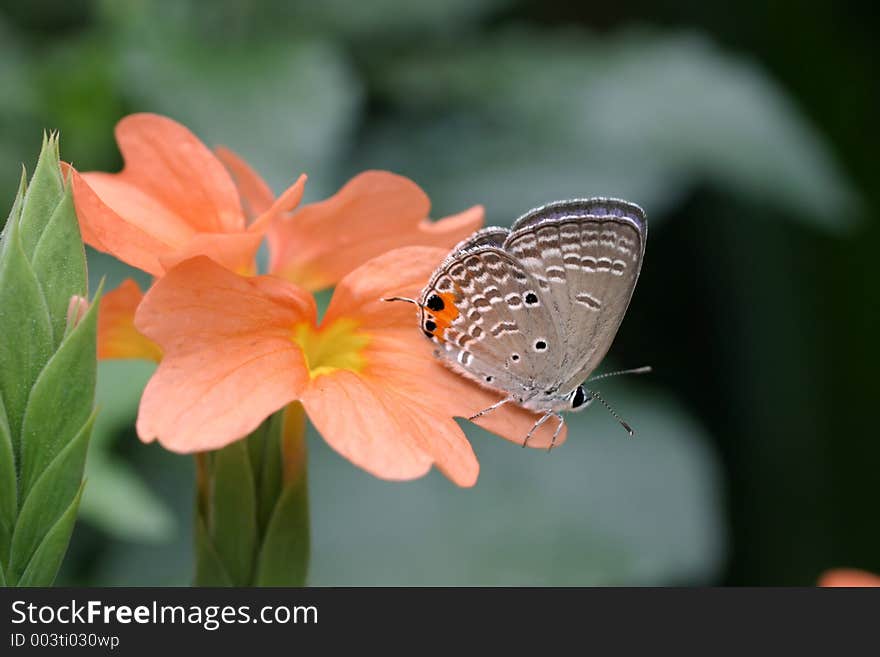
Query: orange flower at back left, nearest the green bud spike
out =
(173, 200)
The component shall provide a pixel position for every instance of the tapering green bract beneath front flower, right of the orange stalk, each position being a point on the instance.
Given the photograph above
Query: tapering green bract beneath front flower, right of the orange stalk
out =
(284, 556)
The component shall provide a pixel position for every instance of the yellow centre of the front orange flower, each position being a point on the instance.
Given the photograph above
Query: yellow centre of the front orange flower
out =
(338, 346)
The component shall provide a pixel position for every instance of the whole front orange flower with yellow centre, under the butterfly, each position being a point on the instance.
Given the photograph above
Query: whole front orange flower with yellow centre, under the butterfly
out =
(237, 349)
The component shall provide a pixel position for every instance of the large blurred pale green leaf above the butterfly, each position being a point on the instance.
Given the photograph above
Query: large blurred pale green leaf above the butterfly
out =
(640, 115)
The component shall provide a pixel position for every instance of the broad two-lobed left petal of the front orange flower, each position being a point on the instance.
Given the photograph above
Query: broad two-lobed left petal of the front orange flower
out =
(229, 360)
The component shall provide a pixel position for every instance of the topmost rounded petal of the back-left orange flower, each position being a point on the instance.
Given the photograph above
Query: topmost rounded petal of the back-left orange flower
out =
(170, 164)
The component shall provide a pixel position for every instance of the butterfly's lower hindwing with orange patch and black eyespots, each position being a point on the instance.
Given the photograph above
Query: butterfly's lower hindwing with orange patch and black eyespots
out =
(486, 312)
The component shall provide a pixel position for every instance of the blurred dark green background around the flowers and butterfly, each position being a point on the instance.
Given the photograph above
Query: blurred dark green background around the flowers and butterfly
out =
(747, 131)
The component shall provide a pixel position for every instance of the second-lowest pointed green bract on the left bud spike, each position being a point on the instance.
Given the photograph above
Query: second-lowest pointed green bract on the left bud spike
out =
(48, 499)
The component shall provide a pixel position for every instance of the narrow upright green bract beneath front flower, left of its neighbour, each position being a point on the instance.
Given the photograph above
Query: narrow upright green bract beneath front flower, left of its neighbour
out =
(232, 511)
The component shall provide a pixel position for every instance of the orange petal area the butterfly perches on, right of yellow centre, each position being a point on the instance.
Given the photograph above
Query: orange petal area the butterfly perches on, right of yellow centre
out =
(403, 359)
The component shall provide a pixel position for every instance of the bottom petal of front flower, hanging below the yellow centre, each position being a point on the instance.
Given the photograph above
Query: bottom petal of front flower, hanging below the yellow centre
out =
(380, 432)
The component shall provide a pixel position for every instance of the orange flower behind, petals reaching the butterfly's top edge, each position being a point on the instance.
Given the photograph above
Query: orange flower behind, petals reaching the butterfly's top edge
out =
(374, 212)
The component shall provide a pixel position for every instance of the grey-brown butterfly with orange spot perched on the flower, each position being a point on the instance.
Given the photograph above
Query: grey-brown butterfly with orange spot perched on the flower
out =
(531, 311)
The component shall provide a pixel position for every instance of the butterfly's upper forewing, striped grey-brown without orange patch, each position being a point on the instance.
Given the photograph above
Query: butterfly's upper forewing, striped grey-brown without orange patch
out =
(586, 256)
